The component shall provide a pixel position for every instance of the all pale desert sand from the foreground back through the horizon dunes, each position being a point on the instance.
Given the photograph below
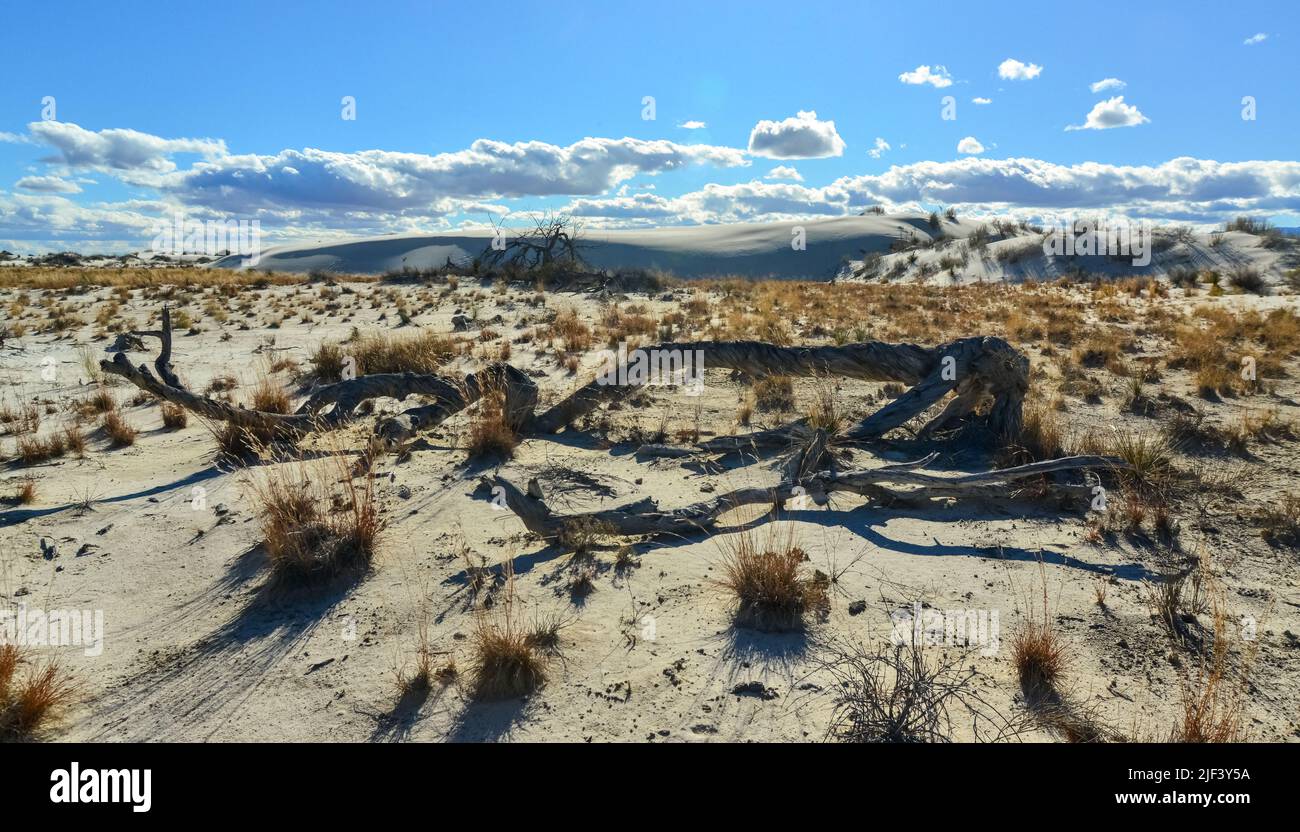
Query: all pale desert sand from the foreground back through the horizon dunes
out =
(201, 645)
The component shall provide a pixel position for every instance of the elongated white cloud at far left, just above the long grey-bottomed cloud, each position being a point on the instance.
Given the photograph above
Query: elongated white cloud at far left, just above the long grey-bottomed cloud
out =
(118, 150)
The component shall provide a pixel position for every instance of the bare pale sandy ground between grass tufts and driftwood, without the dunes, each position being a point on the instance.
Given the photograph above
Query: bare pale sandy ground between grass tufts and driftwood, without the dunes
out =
(166, 544)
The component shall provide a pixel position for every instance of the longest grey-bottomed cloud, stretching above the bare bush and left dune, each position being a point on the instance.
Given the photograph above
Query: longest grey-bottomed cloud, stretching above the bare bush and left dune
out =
(387, 181)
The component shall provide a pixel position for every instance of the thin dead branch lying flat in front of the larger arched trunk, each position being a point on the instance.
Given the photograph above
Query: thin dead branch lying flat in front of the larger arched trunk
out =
(647, 518)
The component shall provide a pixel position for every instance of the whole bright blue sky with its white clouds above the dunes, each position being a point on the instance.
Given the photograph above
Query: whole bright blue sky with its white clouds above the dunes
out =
(233, 110)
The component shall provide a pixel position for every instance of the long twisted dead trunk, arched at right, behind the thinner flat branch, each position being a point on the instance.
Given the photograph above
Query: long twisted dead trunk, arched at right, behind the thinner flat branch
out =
(987, 375)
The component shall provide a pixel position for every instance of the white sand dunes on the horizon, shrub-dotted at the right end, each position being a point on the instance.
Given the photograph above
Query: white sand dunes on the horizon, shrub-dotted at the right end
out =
(835, 246)
